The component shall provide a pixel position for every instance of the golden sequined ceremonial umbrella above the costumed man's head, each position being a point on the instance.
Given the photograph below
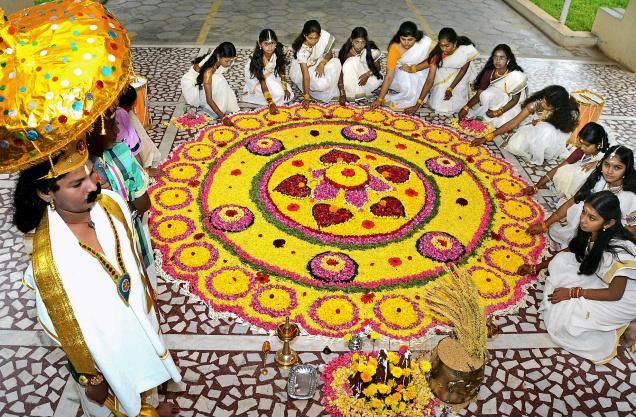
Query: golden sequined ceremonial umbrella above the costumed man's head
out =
(62, 64)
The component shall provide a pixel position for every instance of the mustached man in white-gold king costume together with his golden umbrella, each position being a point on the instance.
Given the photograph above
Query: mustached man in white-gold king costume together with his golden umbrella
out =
(93, 296)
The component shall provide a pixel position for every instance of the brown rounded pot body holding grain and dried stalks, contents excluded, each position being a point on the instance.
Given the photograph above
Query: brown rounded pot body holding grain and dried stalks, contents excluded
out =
(451, 385)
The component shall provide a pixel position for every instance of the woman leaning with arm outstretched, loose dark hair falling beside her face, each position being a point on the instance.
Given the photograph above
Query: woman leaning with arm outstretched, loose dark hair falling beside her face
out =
(546, 136)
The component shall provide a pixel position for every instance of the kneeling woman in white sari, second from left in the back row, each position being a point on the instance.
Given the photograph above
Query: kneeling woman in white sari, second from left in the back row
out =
(265, 81)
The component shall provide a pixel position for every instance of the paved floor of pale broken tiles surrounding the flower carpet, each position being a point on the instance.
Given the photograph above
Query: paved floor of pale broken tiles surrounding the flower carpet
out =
(219, 357)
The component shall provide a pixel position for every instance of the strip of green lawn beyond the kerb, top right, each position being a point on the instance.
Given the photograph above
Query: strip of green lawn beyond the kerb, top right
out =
(582, 12)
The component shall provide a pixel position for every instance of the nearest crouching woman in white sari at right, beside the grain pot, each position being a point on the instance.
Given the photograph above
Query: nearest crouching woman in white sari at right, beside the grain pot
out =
(589, 299)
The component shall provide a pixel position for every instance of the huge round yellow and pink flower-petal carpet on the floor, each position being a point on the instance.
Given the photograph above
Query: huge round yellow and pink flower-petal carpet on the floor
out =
(332, 216)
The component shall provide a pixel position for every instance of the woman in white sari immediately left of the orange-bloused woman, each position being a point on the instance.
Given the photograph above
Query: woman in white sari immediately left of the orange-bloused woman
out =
(360, 74)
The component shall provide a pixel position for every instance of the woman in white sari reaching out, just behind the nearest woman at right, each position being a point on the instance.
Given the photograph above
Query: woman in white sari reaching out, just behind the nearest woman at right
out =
(615, 173)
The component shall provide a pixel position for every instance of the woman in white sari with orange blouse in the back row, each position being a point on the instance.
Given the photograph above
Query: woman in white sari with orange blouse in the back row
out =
(406, 68)
